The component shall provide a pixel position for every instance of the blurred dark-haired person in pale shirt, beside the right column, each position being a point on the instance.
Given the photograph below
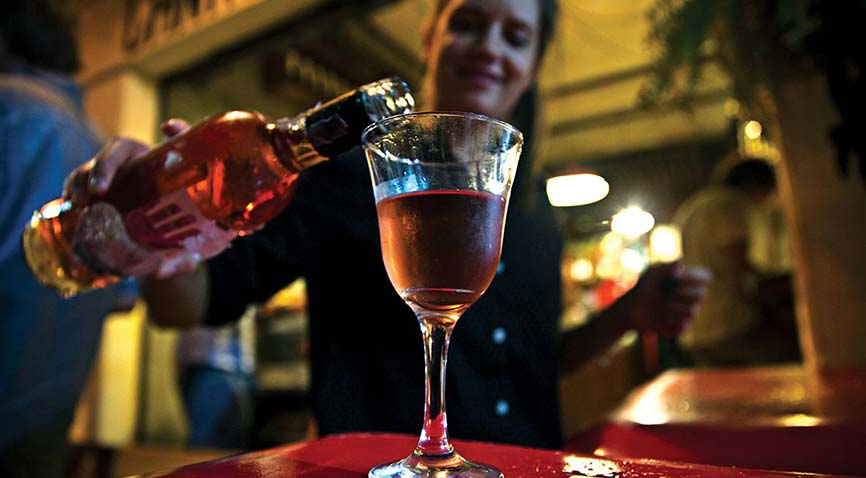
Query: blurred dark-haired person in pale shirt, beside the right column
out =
(744, 319)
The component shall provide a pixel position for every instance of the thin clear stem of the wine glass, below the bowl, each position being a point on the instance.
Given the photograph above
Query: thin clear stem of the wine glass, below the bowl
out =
(436, 332)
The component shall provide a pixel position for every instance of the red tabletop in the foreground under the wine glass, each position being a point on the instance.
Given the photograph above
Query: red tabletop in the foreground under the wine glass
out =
(351, 455)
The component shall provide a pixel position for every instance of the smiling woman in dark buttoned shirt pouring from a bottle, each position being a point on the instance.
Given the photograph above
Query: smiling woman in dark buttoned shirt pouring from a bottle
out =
(482, 56)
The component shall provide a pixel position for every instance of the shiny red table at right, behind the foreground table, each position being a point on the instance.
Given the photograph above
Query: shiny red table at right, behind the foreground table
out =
(761, 417)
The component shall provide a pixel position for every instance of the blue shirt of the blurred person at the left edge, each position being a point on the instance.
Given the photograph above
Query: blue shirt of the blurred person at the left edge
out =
(47, 343)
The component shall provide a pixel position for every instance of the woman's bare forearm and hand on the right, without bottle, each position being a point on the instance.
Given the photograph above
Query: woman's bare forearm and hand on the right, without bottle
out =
(665, 298)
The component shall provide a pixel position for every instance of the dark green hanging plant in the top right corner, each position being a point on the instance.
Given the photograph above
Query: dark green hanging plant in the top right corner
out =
(760, 43)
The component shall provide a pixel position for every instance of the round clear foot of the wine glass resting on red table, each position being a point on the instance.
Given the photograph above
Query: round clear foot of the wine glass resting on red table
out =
(425, 466)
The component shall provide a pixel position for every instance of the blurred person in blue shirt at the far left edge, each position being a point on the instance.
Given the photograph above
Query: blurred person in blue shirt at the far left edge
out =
(47, 344)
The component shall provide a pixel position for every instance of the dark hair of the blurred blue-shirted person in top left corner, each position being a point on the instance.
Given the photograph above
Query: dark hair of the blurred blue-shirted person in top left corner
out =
(38, 33)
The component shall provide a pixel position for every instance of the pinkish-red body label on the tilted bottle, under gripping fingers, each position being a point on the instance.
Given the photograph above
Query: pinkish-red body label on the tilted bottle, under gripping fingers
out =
(138, 243)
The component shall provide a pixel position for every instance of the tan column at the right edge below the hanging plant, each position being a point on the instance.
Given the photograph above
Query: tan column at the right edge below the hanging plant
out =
(825, 211)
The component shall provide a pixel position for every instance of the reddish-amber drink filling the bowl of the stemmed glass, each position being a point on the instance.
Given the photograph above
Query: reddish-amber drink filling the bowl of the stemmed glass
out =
(442, 247)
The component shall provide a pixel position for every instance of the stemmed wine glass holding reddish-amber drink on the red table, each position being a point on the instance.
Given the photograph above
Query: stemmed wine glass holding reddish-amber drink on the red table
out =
(441, 183)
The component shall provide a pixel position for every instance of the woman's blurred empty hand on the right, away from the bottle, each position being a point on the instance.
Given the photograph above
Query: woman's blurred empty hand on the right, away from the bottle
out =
(667, 297)
